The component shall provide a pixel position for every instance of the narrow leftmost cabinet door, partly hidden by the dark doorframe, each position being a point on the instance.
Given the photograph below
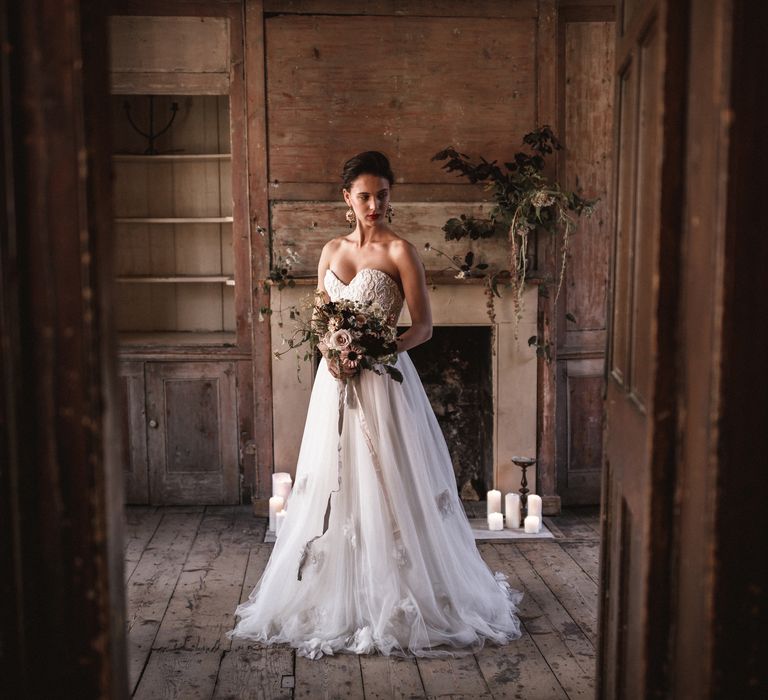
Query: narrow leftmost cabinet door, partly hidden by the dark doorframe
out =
(134, 434)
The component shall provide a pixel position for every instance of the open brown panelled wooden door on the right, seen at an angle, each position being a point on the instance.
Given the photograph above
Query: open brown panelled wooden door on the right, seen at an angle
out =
(640, 390)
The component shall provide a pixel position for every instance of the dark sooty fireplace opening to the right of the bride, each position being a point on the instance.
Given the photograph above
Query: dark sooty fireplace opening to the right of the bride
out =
(455, 369)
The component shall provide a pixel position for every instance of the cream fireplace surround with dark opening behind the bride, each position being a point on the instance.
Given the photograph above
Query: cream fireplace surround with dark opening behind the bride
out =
(479, 377)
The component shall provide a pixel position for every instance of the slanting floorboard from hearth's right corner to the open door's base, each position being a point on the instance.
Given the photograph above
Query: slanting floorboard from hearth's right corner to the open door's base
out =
(570, 585)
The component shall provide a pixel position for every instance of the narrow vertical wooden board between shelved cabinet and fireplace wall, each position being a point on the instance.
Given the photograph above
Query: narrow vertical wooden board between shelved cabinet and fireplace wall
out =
(260, 239)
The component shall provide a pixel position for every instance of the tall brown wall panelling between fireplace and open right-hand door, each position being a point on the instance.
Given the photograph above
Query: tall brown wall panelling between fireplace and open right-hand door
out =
(585, 123)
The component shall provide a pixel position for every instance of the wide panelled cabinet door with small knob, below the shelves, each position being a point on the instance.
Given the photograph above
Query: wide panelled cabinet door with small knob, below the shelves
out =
(192, 433)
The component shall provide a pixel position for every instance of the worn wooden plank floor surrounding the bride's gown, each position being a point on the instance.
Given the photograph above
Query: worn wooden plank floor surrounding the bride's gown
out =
(187, 569)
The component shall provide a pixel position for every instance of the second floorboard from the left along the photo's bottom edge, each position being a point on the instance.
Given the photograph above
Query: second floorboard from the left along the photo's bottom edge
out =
(256, 672)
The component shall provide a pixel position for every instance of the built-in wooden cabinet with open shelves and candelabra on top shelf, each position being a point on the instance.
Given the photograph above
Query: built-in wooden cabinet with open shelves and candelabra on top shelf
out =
(182, 260)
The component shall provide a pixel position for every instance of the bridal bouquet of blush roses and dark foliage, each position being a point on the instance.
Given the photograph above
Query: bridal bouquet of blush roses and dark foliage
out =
(354, 334)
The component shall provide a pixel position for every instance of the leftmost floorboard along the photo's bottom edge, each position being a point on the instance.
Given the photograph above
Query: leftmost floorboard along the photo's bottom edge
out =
(186, 675)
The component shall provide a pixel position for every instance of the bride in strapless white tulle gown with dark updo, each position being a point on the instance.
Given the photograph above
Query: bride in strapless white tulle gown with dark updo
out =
(376, 552)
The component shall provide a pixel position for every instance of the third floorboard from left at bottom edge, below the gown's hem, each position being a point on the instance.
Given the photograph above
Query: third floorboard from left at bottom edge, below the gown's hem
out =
(329, 677)
